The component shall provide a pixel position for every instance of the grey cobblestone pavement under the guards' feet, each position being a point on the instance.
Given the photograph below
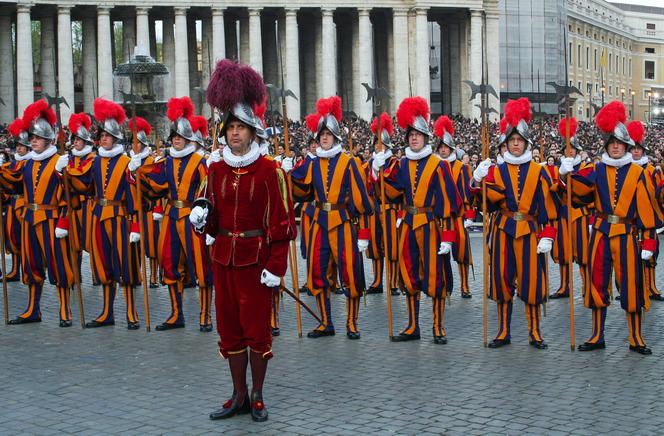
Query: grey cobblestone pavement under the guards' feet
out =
(112, 380)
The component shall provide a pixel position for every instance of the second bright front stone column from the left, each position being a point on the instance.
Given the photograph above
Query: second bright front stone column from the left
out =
(65, 62)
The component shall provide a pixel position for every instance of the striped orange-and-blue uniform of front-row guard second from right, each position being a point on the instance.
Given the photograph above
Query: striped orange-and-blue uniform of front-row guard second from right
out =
(521, 195)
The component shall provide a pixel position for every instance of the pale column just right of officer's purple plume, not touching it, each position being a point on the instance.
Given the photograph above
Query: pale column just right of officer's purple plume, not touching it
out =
(292, 64)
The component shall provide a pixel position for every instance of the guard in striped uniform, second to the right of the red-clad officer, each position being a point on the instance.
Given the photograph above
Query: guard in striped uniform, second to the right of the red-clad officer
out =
(425, 186)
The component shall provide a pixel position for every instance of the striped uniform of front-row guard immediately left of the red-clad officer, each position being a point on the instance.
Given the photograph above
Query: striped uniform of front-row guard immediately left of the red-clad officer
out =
(182, 251)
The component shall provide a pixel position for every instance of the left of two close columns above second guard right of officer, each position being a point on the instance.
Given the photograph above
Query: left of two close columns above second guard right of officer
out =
(400, 56)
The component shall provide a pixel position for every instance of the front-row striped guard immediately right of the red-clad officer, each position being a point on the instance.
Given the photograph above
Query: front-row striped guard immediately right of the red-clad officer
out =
(334, 183)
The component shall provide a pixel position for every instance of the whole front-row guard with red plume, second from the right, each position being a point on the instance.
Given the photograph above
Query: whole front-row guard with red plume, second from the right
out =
(519, 190)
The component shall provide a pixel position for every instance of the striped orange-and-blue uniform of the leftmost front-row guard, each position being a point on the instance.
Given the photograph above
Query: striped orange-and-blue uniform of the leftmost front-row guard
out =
(41, 251)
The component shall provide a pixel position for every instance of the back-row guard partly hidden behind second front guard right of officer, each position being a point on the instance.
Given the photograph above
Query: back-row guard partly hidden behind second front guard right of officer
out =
(444, 129)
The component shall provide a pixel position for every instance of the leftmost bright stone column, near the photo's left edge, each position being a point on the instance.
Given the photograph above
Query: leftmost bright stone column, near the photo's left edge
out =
(25, 92)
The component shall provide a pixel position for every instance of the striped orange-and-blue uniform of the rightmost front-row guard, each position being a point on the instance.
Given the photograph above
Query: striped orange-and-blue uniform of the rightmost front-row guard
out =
(624, 208)
